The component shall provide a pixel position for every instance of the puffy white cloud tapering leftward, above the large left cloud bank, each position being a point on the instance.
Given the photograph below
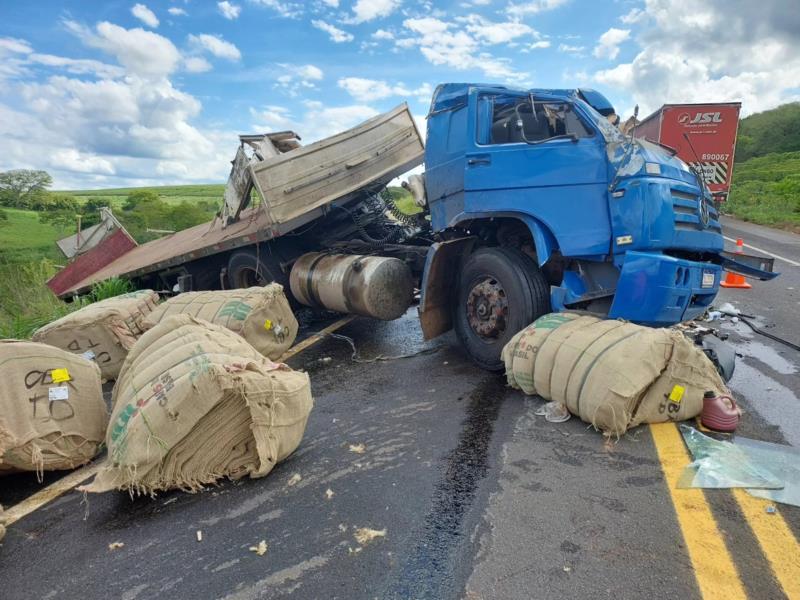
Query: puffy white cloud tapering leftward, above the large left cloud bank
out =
(141, 52)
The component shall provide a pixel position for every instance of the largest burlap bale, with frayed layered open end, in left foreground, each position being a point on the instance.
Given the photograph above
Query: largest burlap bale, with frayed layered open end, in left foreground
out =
(195, 402)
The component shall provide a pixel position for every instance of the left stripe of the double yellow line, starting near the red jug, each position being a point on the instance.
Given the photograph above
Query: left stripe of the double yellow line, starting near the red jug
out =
(714, 569)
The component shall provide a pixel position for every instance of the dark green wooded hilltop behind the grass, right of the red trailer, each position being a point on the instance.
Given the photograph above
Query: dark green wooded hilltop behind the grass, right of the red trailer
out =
(771, 131)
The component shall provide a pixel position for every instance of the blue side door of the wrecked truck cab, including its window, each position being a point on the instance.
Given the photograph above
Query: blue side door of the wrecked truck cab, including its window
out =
(541, 158)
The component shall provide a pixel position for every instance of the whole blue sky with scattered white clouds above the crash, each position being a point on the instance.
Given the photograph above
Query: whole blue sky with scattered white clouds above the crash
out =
(104, 94)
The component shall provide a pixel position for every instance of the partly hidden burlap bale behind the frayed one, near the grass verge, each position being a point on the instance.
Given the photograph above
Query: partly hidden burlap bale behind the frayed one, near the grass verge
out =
(103, 331)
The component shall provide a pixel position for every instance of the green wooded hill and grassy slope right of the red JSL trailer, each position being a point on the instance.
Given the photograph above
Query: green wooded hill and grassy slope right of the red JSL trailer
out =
(766, 176)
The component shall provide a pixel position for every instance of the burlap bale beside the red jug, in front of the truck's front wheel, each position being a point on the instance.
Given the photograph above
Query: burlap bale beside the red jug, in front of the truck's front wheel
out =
(613, 374)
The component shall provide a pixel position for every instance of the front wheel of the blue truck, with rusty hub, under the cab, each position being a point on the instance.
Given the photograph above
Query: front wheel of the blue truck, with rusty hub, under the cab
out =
(500, 291)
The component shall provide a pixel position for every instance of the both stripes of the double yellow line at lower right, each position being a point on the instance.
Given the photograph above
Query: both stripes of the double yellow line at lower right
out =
(714, 567)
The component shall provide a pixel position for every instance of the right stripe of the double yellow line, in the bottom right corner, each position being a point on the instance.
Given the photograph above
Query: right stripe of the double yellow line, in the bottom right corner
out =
(776, 539)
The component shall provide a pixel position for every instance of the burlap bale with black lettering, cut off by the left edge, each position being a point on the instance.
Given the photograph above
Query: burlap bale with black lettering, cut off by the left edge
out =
(52, 413)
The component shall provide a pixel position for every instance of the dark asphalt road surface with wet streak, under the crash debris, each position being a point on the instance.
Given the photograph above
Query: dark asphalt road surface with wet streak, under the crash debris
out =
(478, 497)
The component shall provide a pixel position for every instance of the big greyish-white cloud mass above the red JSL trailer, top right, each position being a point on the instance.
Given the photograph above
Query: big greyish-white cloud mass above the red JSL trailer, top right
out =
(721, 50)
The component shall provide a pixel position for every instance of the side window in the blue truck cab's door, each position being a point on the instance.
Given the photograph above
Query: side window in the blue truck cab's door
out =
(514, 120)
